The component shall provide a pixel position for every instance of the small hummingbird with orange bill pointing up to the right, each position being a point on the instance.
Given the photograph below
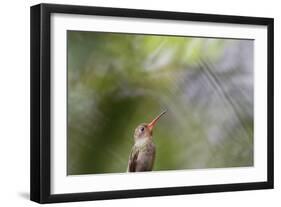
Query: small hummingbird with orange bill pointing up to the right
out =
(143, 152)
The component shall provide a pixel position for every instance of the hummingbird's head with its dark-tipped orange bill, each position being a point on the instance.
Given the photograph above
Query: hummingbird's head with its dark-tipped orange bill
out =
(144, 131)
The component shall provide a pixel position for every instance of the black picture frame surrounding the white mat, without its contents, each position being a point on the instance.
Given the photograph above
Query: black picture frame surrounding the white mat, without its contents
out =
(41, 99)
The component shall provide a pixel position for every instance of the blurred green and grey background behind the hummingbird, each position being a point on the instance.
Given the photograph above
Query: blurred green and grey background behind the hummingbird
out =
(117, 81)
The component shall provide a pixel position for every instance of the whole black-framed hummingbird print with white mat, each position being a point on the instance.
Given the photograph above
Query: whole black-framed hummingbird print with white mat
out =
(132, 103)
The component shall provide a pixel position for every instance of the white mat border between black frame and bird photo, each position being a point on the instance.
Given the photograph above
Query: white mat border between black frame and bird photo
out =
(61, 183)
